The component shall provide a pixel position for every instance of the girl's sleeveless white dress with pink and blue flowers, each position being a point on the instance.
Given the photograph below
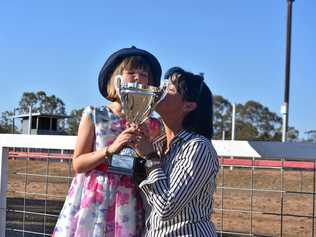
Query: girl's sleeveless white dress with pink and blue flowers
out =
(98, 203)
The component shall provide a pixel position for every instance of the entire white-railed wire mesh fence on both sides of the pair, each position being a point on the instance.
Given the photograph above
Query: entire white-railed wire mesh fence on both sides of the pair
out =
(263, 188)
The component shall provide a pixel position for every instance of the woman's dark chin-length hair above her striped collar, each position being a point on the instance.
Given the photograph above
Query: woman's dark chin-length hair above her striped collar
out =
(192, 88)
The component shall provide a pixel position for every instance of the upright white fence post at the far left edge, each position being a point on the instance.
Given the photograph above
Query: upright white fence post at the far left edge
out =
(3, 188)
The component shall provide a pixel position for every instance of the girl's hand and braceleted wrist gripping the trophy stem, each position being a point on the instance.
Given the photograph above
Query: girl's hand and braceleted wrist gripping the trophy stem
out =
(125, 138)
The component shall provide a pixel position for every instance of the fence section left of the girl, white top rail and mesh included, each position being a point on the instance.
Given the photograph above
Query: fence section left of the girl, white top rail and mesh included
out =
(34, 182)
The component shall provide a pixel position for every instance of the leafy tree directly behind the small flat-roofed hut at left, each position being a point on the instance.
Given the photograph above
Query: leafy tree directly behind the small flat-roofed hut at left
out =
(40, 102)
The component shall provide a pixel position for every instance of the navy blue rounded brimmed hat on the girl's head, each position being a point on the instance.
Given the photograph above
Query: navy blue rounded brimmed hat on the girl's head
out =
(116, 58)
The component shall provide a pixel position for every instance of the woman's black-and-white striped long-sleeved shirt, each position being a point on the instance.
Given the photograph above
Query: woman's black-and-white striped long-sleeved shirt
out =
(180, 192)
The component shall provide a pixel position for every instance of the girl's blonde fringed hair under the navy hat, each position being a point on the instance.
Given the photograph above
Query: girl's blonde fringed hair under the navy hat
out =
(128, 63)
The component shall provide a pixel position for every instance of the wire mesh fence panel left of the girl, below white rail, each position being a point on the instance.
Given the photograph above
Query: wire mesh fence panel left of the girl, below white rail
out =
(38, 182)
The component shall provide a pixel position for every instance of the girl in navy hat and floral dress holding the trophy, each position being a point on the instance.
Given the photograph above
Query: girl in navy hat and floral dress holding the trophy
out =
(100, 203)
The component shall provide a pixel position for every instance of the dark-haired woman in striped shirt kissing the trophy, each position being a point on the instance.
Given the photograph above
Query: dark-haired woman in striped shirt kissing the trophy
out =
(182, 165)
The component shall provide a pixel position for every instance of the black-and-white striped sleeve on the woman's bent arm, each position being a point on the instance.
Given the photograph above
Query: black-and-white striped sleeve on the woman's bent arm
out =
(193, 168)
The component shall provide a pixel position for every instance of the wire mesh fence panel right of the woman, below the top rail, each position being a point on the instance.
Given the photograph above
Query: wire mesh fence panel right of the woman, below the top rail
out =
(268, 198)
